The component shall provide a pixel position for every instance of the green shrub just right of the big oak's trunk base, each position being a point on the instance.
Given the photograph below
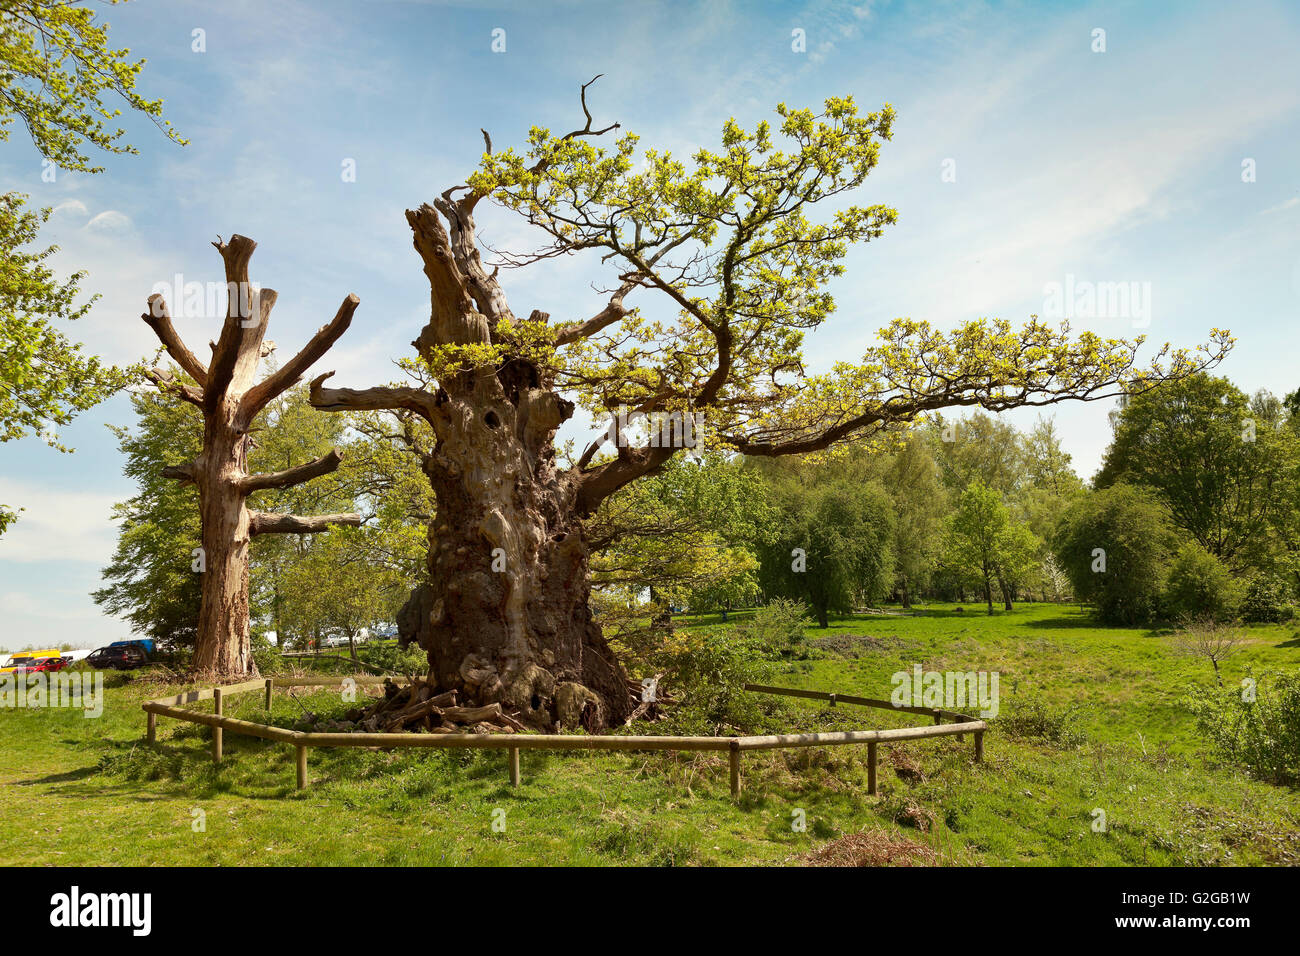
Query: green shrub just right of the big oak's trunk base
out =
(707, 676)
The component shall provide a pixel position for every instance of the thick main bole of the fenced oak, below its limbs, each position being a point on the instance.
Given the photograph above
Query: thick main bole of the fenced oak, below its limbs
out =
(506, 616)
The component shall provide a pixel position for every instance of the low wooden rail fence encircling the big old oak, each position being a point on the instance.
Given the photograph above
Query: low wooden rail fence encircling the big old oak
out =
(514, 743)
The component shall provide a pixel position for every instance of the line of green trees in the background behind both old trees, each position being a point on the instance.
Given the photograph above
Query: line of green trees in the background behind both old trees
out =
(1194, 513)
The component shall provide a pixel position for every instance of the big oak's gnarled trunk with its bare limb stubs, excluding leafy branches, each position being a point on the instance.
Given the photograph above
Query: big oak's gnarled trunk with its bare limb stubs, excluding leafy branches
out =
(505, 616)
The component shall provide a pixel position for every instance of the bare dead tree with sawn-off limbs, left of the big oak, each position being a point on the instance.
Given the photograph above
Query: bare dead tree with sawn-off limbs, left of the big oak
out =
(229, 397)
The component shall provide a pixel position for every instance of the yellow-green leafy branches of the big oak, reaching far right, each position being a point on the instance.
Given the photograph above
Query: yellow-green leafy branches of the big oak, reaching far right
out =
(736, 241)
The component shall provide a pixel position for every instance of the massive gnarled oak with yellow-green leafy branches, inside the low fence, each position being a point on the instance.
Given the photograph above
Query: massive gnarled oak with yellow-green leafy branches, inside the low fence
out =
(735, 254)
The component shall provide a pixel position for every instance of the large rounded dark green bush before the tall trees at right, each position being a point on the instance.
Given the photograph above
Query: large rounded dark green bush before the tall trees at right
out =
(1115, 546)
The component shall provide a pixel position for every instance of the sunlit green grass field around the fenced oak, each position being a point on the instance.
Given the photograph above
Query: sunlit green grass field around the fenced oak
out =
(80, 791)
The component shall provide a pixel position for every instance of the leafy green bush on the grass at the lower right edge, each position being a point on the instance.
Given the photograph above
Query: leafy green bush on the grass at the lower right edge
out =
(1259, 732)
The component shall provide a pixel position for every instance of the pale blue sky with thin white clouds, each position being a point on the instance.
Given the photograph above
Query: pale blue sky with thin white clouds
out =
(1108, 167)
